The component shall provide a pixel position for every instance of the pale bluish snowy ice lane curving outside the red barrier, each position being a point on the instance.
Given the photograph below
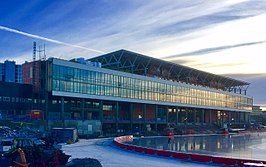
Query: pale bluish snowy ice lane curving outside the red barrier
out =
(111, 156)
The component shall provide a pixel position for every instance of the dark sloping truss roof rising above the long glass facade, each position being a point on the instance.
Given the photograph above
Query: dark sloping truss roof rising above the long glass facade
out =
(123, 60)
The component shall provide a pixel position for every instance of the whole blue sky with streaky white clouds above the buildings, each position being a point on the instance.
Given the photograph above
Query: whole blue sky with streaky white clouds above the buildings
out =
(227, 38)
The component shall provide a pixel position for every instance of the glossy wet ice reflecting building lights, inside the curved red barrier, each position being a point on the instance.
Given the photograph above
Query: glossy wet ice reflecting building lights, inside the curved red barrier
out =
(225, 145)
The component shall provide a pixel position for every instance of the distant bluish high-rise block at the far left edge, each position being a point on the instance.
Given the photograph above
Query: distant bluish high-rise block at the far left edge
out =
(10, 72)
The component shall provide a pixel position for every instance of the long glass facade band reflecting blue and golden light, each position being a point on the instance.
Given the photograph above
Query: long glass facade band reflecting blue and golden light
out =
(92, 82)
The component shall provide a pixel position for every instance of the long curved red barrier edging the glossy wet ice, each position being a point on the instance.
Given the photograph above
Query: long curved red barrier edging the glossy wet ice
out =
(119, 141)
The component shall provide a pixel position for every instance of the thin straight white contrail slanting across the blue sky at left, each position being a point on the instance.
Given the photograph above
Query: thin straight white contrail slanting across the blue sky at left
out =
(46, 39)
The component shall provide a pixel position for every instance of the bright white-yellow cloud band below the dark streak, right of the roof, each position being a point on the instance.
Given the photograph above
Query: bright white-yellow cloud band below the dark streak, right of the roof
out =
(236, 60)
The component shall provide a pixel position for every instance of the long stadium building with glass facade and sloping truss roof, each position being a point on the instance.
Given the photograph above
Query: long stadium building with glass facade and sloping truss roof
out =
(124, 90)
